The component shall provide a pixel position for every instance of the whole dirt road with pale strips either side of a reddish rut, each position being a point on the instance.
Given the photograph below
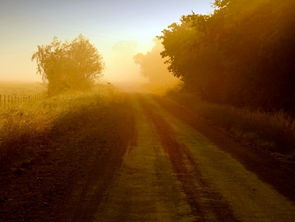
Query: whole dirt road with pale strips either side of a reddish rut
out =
(173, 173)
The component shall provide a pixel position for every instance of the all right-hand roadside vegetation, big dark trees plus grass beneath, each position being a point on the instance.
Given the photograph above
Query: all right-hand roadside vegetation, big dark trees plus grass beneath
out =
(237, 70)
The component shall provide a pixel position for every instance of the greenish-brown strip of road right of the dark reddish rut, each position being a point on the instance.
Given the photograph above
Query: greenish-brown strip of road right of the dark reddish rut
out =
(250, 198)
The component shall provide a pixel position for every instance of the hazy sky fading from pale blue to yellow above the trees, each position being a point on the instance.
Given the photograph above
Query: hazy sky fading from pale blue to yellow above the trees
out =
(118, 28)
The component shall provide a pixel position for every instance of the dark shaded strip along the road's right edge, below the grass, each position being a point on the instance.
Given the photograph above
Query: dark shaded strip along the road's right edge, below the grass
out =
(279, 173)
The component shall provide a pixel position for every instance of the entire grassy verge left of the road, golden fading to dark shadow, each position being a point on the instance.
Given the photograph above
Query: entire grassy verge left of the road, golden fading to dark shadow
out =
(48, 147)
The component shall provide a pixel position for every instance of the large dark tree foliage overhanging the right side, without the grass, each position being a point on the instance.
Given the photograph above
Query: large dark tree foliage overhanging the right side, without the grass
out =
(242, 54)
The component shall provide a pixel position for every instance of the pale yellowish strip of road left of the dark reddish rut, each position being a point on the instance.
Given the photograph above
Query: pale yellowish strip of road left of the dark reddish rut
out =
(145, 188)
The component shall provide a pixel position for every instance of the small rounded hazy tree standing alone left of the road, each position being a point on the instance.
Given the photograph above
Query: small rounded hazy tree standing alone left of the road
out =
(68, 66)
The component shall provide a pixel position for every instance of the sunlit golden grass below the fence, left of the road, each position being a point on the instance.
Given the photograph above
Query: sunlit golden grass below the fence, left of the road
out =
(32, 118)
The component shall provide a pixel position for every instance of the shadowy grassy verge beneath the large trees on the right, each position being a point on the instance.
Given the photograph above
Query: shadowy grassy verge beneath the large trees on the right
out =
(274, 132)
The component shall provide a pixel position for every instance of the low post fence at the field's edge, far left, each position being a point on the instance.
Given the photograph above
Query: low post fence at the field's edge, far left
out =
(9, 100)
